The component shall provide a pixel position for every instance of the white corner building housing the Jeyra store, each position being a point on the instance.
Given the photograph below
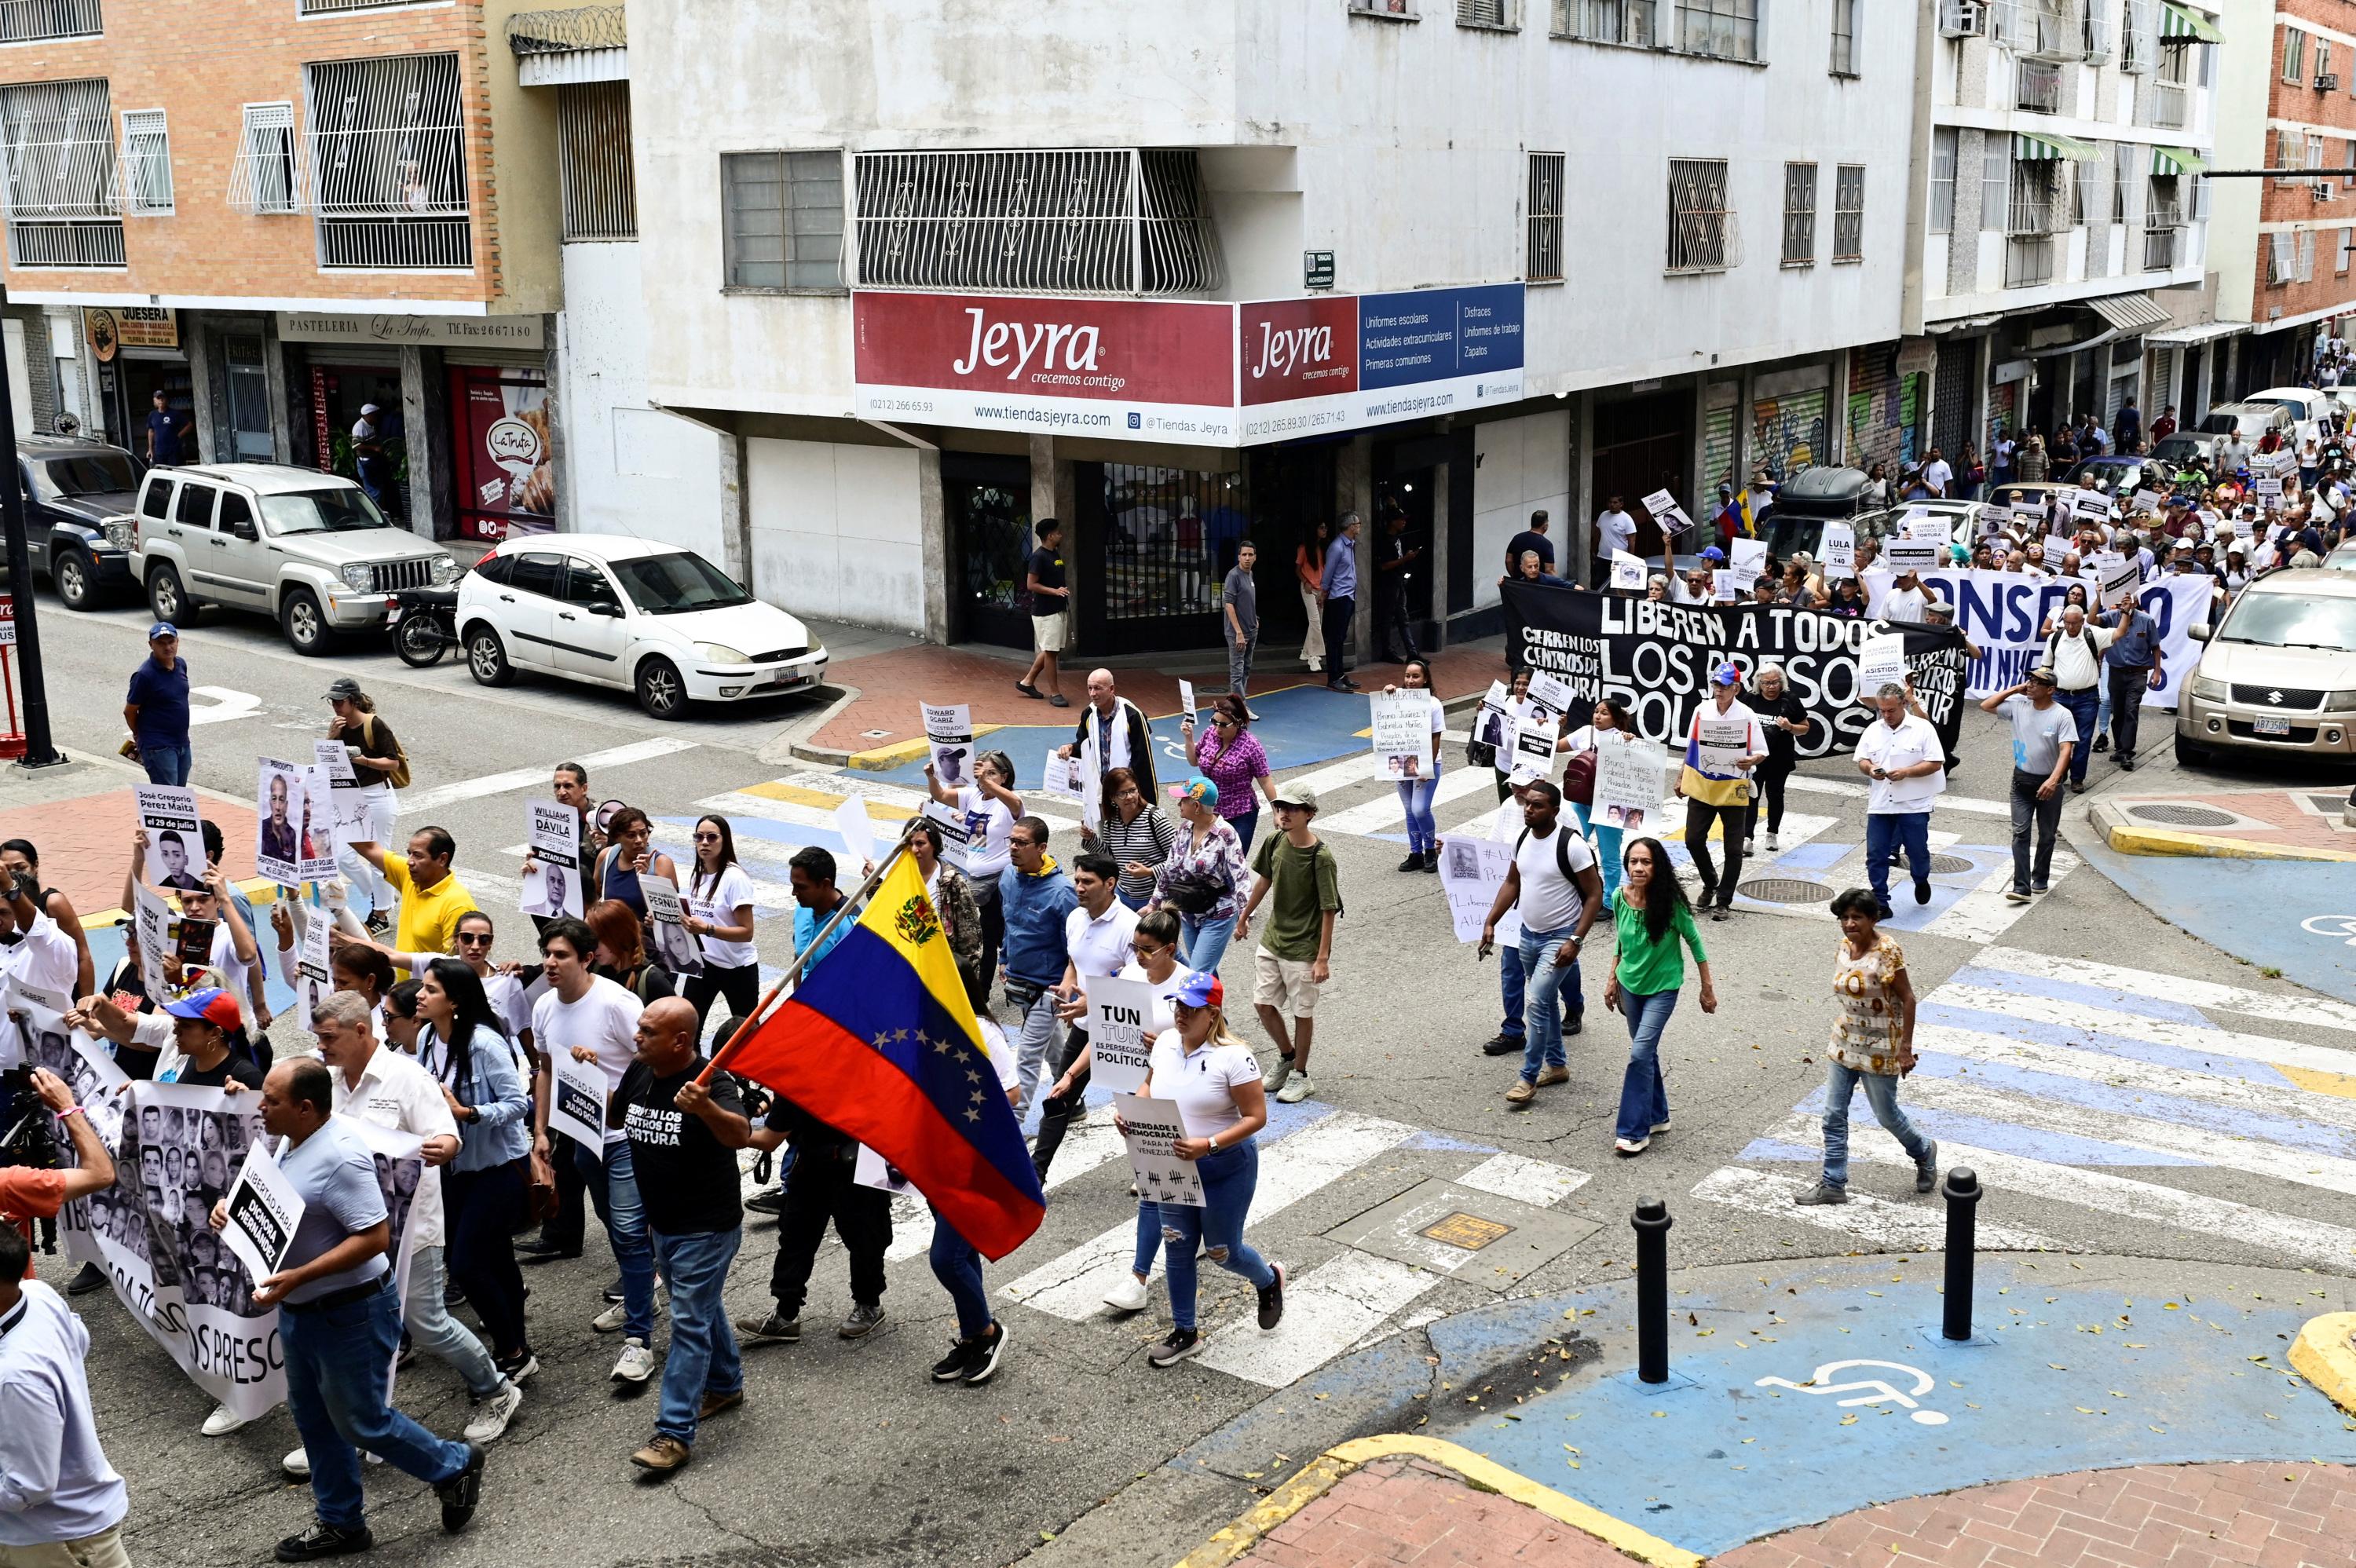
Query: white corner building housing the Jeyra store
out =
(1179, 274)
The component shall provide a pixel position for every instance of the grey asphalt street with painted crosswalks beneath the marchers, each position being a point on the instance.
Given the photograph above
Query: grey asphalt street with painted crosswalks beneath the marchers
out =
(2126, 1089)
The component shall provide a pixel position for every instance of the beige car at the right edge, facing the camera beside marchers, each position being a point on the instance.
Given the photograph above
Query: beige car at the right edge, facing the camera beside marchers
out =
(2279, 672)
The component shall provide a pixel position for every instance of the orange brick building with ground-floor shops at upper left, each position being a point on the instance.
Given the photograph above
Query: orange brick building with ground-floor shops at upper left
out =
(310, 225)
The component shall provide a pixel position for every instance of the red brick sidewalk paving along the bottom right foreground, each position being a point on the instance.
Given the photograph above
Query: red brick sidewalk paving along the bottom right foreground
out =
(2150, 1517)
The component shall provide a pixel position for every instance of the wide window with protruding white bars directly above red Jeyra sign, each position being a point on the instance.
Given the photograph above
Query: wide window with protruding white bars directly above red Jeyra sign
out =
(1052, 220)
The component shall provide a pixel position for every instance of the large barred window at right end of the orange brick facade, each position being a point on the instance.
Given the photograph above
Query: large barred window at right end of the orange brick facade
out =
(388, 159)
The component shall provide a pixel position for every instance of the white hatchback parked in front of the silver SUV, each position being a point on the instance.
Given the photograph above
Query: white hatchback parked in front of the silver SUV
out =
(635, 616)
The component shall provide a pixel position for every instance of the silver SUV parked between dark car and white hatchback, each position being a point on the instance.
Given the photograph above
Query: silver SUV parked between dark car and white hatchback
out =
(307, 550)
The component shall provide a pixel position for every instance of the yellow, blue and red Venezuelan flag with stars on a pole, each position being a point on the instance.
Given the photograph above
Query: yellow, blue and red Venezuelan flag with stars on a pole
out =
(882, 1044)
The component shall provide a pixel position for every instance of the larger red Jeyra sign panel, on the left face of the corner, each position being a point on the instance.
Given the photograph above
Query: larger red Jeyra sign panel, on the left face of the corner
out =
(1146, 352)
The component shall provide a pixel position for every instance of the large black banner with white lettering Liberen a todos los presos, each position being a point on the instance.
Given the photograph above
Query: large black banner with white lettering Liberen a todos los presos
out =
(1660, 660)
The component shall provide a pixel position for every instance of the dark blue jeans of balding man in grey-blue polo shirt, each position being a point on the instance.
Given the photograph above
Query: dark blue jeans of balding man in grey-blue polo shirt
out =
(340, 1362)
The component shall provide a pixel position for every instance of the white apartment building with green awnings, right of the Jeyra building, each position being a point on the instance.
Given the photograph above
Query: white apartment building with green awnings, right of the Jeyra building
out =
(2065, 211)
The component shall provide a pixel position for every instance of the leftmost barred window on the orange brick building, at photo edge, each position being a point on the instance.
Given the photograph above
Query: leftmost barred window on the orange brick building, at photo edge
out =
(62, 197)
